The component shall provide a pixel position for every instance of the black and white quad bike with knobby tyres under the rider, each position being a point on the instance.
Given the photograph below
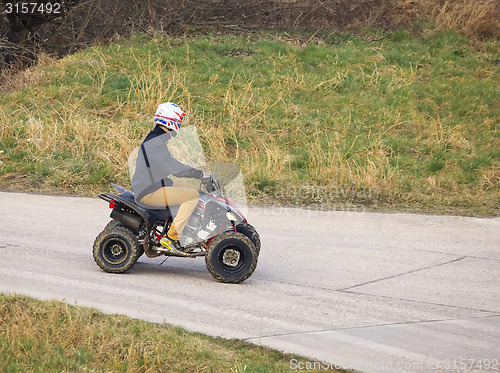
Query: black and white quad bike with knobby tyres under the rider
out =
(216, 230)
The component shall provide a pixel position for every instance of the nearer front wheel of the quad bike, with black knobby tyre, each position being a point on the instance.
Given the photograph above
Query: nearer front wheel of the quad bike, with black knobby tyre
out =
(231, 257)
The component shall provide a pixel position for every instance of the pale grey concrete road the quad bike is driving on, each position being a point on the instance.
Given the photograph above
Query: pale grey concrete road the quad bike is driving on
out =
(371, 291)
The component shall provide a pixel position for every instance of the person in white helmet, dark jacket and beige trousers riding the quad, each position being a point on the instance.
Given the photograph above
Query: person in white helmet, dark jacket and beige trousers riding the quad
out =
(151, 183)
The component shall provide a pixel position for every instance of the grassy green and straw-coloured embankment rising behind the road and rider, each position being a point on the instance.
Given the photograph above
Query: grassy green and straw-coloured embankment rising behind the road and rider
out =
(401, 123)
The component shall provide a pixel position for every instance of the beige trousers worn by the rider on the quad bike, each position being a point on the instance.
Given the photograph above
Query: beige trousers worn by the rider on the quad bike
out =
(183, 194)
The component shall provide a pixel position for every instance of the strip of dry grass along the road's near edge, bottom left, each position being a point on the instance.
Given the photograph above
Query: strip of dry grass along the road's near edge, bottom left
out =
(37, 336)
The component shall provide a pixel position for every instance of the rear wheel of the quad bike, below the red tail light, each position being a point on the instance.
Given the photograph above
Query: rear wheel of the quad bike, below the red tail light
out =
(116, 250)
